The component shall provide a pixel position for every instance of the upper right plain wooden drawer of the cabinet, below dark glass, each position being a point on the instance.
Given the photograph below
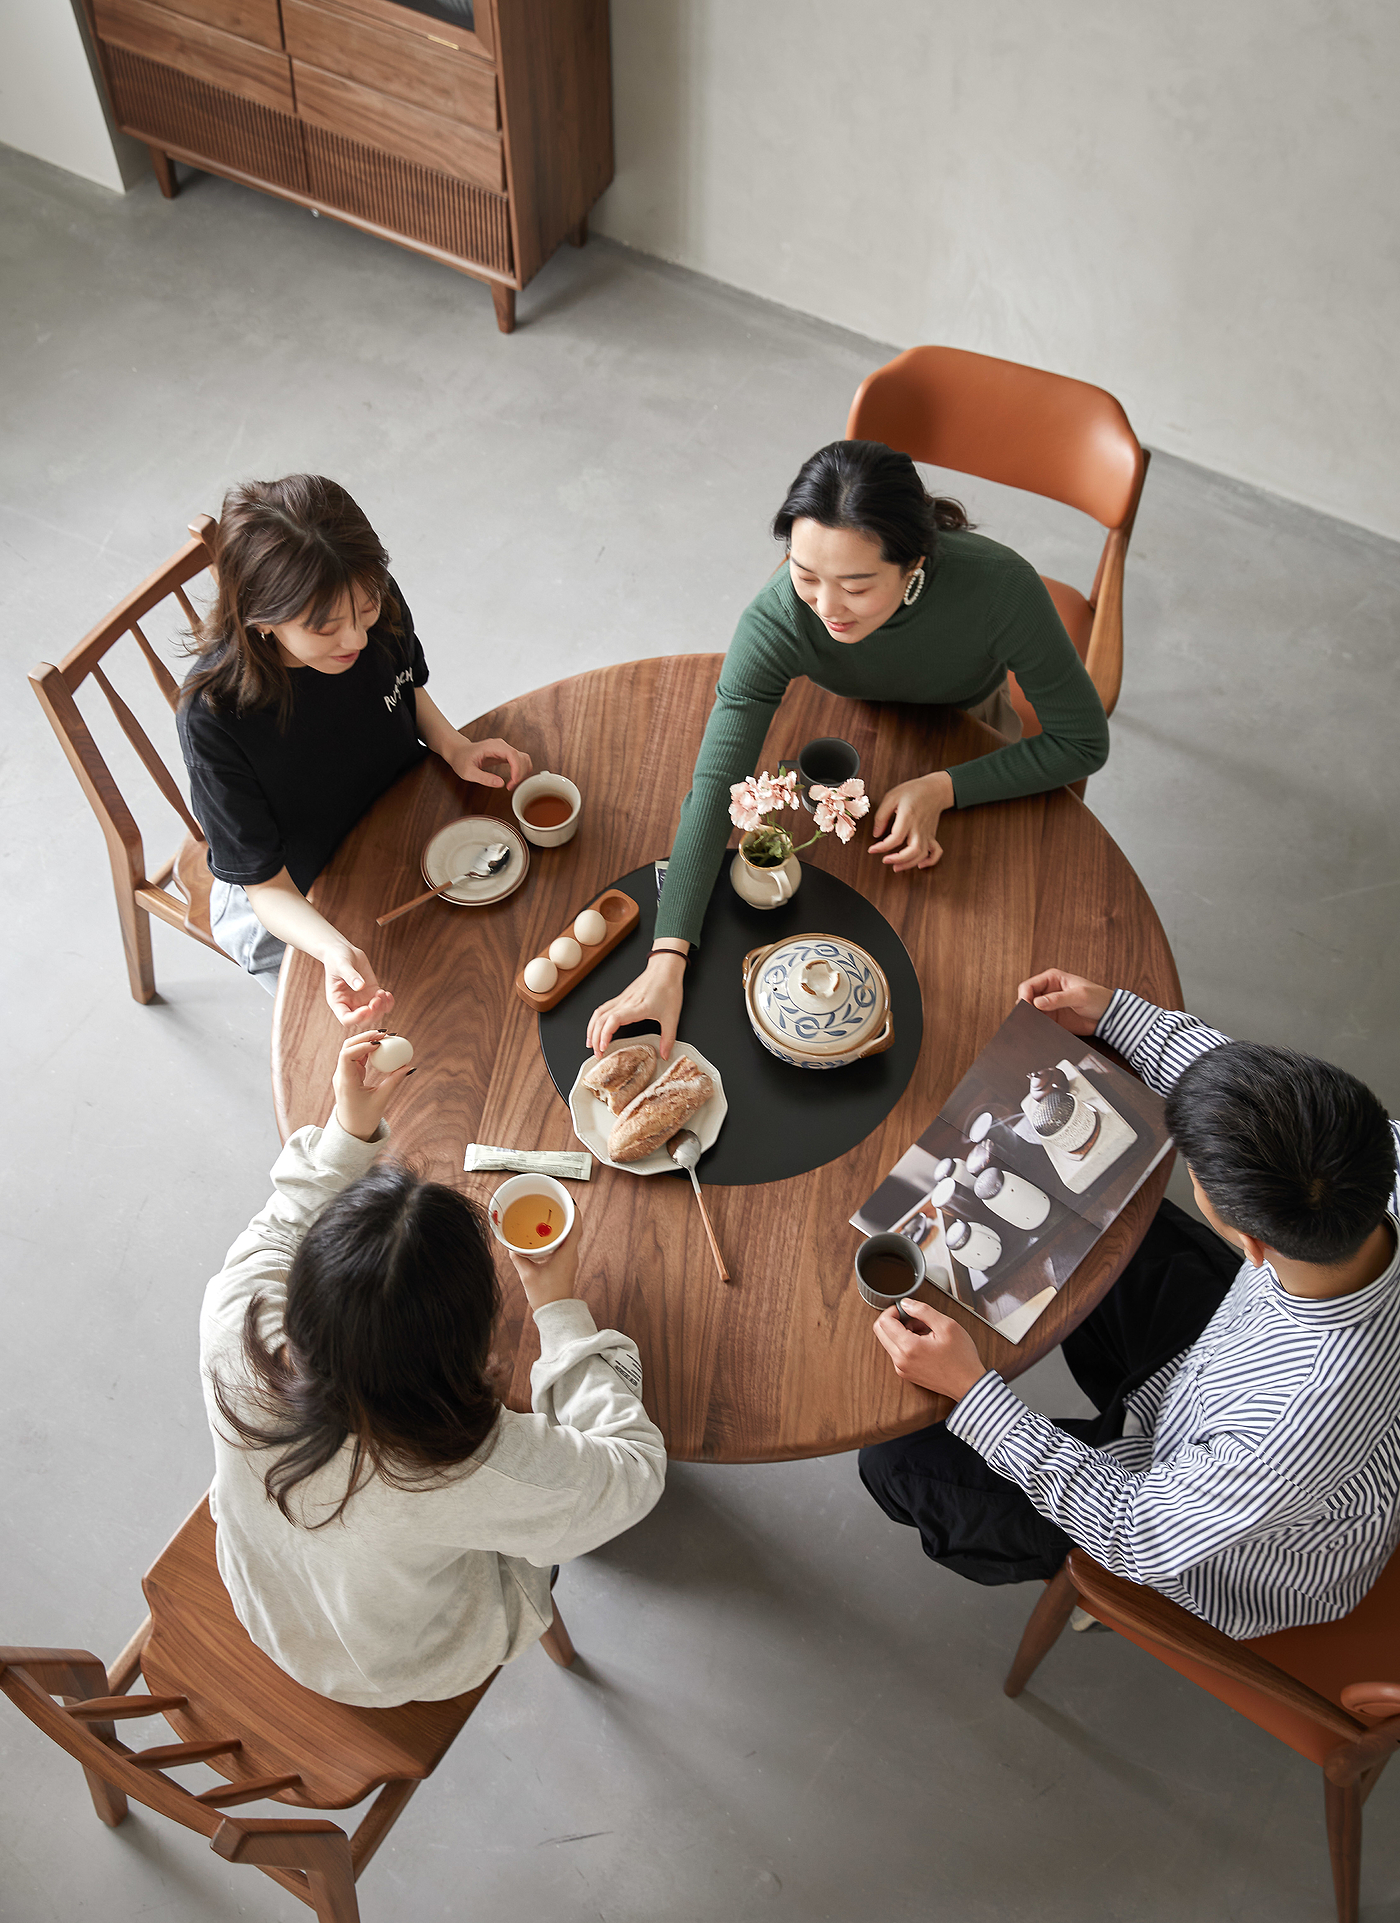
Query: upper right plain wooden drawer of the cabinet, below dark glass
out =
(409, 66)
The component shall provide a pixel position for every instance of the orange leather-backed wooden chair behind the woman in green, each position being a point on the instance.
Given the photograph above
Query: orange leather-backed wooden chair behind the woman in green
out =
(1030, 430)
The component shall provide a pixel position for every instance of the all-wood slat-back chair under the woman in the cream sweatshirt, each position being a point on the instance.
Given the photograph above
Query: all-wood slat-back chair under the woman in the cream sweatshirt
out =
(237, 1712)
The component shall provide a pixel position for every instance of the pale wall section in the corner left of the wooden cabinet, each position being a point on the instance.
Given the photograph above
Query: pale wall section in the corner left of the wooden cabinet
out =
(51, 103)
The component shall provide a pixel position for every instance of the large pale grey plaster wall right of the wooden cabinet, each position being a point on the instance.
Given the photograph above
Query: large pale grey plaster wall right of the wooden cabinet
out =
(1187, 203)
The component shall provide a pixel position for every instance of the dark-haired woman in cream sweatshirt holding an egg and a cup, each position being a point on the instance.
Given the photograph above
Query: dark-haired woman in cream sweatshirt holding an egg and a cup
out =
(386, 1528)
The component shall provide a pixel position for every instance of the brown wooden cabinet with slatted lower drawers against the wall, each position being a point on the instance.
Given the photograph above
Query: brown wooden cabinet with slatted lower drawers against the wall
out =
(476, 132)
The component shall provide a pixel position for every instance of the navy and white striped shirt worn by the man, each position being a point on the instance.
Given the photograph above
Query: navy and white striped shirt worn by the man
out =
(1259, 1478)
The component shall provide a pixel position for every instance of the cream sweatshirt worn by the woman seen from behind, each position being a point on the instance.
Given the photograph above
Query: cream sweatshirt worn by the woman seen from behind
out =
(418, 1595)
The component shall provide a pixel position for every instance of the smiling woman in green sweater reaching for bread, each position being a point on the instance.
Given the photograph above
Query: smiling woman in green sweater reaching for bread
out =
(887, 597)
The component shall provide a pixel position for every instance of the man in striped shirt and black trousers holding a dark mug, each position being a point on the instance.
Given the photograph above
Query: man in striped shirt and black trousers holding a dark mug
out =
(1255, 1478)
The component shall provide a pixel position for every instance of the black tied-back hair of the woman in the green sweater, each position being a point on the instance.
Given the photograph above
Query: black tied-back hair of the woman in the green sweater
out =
(874, 491)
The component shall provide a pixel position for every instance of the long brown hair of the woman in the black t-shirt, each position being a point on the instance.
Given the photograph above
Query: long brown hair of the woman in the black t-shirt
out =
(284, 551)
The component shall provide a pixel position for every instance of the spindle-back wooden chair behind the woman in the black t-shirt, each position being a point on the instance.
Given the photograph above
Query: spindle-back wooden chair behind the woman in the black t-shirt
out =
(139, 895)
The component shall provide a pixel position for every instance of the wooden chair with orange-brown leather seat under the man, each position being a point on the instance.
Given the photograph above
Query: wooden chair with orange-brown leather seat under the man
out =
(1299, 1684)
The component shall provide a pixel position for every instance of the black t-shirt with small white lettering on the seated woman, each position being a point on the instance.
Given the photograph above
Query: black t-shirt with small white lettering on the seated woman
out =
(270, 797)
